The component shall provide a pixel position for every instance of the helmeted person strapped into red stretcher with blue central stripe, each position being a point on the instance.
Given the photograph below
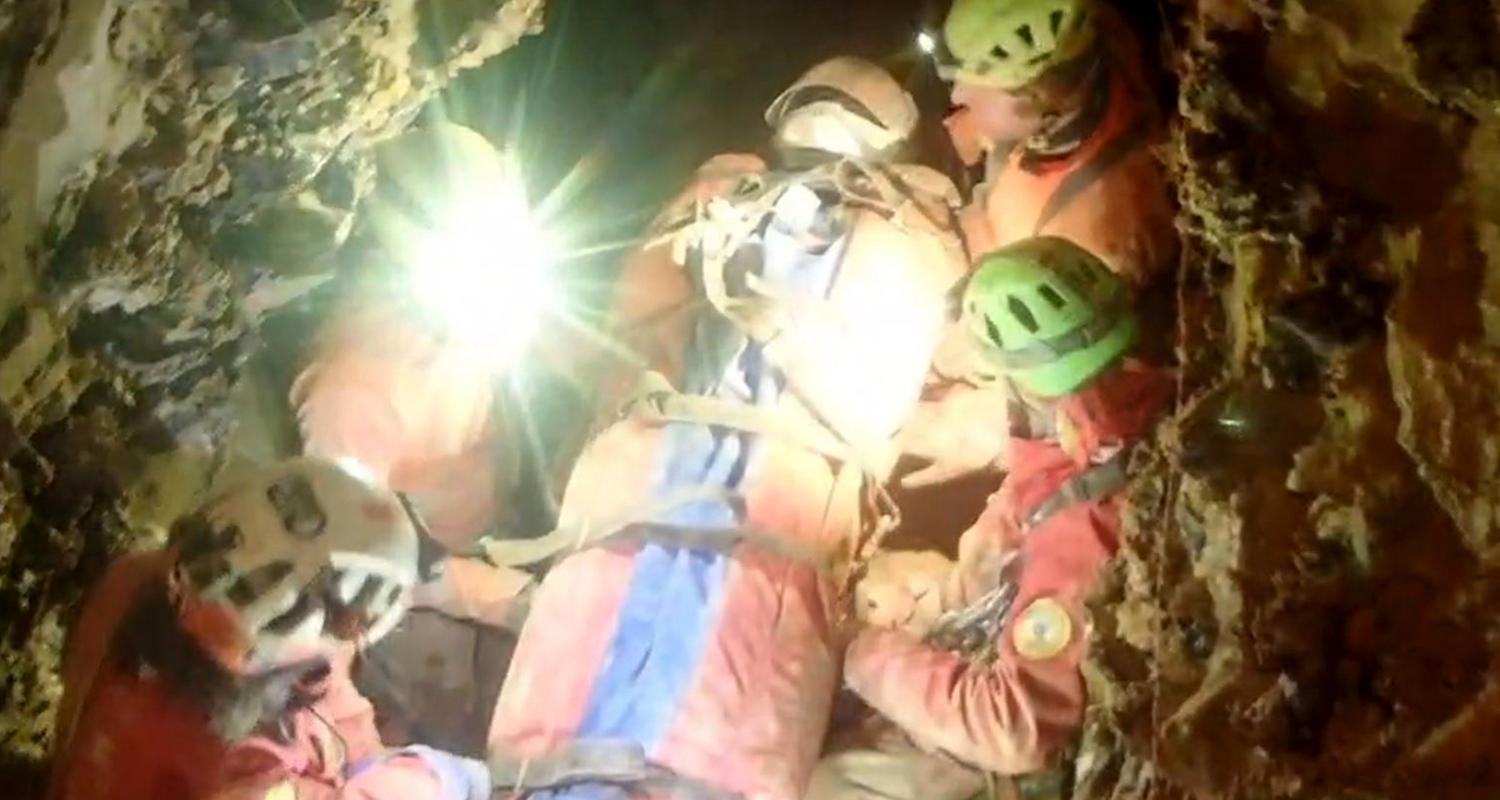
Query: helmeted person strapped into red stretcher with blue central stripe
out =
(683, 642)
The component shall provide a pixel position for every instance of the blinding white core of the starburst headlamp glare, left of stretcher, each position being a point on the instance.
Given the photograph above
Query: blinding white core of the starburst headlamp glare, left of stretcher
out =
(487, 272)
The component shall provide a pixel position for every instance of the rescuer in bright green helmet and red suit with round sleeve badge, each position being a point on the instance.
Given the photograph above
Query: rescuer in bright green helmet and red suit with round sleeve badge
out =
(1058, 325)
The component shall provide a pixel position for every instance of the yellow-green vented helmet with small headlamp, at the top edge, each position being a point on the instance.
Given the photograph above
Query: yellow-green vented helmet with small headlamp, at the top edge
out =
(1009, 44)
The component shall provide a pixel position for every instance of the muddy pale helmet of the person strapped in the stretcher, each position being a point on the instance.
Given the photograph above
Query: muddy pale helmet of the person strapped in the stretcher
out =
(847, 107)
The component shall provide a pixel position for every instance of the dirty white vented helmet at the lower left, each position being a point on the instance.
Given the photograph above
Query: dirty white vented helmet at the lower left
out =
(293, 561)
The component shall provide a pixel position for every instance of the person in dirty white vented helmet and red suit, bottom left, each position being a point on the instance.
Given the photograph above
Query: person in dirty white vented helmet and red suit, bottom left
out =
(220, 666)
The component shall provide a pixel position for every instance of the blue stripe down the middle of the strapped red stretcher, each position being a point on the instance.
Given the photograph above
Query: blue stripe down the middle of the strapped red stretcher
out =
(676, 595)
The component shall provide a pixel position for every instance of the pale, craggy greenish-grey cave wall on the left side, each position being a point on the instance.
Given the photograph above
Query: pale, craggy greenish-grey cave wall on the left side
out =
(172, 172)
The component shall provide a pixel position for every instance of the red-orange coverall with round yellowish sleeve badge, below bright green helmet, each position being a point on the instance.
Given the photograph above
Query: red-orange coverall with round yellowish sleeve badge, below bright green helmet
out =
(1013, 715)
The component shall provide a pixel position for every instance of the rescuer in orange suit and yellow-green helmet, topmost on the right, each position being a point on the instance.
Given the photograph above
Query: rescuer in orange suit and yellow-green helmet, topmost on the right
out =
(1055, 92)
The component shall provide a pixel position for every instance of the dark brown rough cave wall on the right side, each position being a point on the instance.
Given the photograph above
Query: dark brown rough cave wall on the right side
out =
(1306, 601)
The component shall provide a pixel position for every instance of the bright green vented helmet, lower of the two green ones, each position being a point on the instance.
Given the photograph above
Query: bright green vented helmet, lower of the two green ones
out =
(1051, 314)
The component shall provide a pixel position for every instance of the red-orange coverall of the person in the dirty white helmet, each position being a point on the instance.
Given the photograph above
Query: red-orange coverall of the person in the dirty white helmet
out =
(127, 736)
